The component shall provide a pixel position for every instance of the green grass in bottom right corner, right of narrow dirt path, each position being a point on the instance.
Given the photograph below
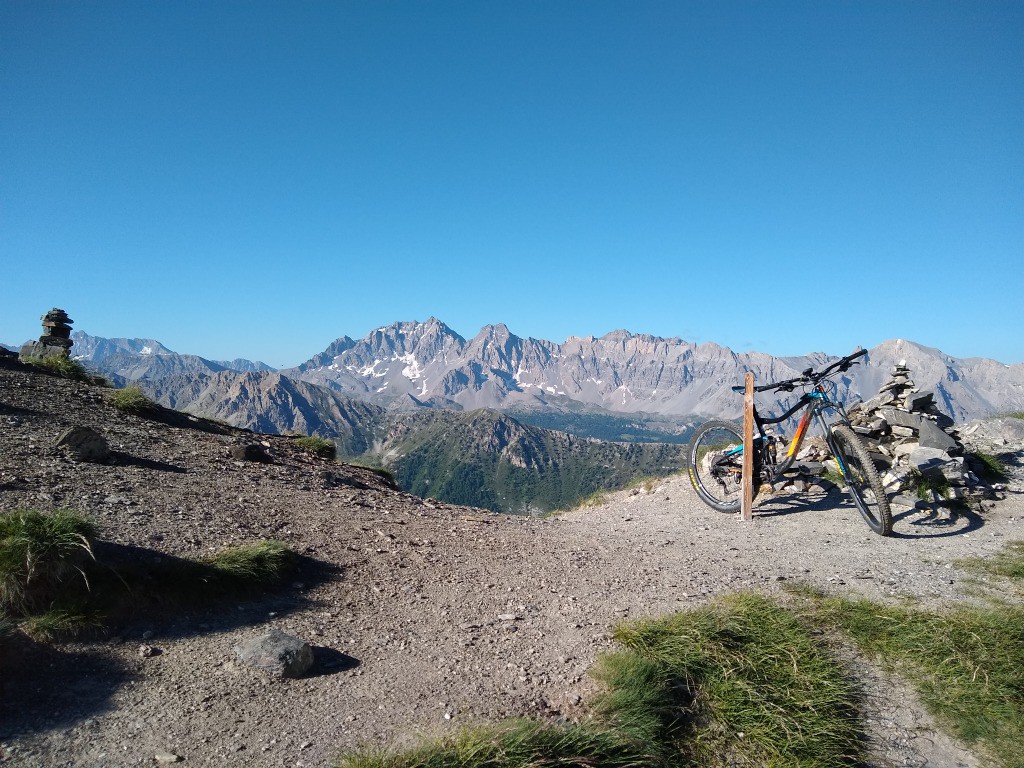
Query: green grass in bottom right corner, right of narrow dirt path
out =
(967, 665)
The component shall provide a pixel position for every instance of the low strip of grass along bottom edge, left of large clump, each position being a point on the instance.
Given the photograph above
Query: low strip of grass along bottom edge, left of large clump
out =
(520, 744)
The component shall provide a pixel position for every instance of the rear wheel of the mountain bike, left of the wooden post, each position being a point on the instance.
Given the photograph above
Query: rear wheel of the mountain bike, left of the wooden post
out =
(716, 459)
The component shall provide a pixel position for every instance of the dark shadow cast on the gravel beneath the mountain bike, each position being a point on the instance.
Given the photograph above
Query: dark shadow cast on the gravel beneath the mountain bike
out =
(935, 521)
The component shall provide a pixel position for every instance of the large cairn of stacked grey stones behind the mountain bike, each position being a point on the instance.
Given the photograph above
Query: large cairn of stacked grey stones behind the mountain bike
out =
(912, 441)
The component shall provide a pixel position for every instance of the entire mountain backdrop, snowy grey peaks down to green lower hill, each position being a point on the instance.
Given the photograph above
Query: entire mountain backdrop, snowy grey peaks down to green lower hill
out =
(517, 424)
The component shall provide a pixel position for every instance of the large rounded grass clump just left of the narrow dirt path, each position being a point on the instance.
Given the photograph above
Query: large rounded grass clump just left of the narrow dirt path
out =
(741, 681)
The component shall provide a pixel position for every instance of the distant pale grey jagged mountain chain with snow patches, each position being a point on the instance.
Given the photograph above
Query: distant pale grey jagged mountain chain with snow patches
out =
(430, 364)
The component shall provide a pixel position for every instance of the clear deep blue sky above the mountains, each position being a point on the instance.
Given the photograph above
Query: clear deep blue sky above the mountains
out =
(255, 180)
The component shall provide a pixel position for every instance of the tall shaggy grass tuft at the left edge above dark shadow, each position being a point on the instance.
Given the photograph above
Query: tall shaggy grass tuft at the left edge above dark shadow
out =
(39, 553)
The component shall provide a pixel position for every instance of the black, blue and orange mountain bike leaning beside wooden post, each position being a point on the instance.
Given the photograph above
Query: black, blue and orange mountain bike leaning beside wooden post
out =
(716, 451)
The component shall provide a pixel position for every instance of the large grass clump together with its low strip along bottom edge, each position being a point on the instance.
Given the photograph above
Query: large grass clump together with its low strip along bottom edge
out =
(739, 682)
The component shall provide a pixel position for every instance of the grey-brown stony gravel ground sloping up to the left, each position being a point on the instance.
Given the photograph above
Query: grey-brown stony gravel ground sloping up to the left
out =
(435, 616)
